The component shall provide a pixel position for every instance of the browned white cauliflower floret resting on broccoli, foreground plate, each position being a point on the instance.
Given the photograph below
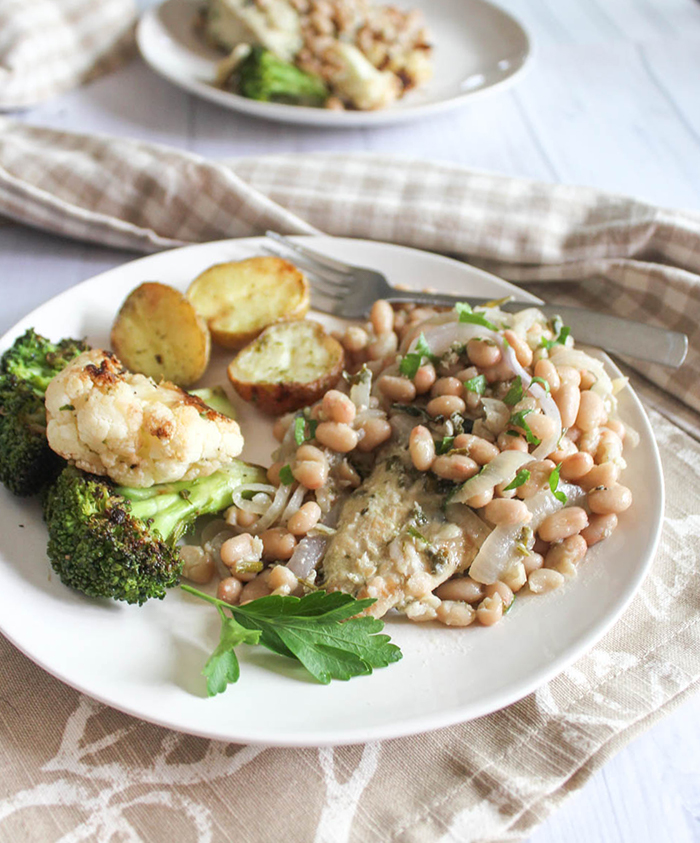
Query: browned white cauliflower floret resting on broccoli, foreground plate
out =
(109, 421)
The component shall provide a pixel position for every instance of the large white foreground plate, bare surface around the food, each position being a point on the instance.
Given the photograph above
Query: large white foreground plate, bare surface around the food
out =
(147, 661)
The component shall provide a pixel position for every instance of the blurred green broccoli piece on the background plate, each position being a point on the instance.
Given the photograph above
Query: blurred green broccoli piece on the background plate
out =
(263, 76)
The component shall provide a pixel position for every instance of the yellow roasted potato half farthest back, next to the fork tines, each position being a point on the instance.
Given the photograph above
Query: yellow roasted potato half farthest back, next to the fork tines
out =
(241, 298)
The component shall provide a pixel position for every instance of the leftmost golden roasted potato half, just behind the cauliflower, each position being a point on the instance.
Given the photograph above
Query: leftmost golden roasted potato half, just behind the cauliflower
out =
(158, 332)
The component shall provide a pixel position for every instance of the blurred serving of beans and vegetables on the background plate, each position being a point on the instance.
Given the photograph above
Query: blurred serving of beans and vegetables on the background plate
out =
(337, 53)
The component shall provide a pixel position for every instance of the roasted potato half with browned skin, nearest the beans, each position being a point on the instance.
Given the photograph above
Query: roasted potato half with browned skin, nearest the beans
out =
(290, 365)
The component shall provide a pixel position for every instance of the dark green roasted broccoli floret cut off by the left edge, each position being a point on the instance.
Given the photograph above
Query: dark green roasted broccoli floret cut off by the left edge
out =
(26, 461)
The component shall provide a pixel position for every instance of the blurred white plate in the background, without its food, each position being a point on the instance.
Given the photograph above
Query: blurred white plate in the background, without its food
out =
(478, 48)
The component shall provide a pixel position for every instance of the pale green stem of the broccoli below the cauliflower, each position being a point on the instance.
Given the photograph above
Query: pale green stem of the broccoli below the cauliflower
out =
(172, 508)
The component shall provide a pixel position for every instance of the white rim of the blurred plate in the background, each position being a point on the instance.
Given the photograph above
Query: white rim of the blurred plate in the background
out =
(322, 118)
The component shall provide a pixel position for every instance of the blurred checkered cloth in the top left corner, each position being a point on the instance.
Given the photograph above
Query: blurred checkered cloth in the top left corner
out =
(49, 46)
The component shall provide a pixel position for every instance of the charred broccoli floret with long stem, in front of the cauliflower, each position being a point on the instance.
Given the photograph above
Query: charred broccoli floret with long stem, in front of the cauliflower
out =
(110, 541)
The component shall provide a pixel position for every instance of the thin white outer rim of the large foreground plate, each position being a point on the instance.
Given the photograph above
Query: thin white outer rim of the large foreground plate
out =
(414, 724)
